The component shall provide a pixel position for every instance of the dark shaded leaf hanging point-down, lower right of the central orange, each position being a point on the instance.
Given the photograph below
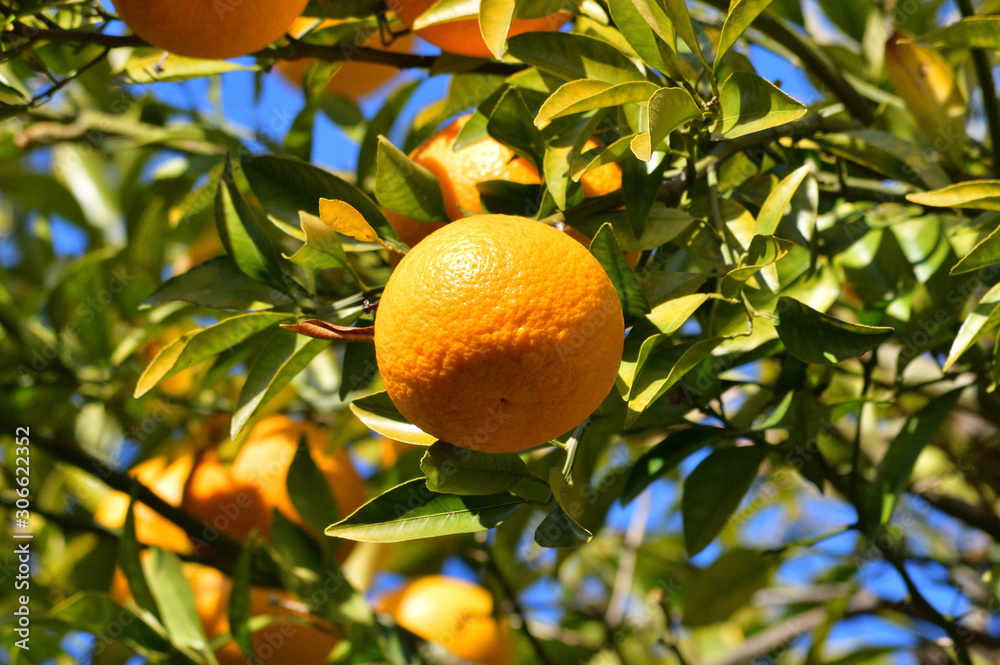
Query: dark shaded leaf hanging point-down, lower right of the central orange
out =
(713, 492)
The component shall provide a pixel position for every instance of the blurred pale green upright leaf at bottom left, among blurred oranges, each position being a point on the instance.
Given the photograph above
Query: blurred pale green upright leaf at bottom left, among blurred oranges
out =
(175, 599)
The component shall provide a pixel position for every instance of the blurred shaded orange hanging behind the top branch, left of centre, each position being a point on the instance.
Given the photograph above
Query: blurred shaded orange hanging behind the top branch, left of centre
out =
(352, 79)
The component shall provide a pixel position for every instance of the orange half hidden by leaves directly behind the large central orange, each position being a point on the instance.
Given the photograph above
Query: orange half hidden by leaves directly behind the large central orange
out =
(458, 173)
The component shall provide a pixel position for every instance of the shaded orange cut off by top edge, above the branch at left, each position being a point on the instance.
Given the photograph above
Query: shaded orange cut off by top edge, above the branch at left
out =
(209, 29)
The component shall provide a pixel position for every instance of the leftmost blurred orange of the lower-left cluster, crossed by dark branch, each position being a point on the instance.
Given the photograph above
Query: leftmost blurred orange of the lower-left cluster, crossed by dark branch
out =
(166, 479)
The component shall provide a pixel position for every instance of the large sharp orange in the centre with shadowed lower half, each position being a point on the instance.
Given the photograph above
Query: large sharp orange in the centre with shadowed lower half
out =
(498, 333)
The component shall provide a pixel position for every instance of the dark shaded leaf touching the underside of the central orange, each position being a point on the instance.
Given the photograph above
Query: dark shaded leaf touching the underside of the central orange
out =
(452, 470)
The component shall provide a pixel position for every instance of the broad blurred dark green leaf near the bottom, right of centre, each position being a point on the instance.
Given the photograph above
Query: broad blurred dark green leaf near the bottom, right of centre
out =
(727, 585)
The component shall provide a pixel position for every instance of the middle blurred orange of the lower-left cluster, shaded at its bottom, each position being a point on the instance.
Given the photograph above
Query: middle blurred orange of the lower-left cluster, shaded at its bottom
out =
(223, 503)
